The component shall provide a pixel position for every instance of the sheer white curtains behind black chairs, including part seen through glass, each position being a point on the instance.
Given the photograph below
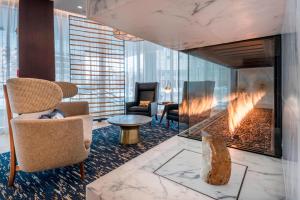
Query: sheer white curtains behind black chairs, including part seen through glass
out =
(148, 62)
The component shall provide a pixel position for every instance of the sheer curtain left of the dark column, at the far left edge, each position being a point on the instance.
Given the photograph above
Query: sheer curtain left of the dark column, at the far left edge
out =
(8, 51)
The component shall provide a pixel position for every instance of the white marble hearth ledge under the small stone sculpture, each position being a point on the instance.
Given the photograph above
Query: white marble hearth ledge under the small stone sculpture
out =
(170, 171)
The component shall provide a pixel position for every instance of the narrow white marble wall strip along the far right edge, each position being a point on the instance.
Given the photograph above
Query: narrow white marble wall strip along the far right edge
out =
(291, 99)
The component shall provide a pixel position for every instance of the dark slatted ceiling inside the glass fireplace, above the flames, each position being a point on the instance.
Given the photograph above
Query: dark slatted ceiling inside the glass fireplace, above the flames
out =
(244, 54)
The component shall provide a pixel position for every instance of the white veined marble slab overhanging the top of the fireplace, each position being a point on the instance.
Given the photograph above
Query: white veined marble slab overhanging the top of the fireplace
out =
(181, 24)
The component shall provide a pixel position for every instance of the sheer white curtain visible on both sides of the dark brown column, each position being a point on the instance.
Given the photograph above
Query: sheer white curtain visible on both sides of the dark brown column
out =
(9, 49)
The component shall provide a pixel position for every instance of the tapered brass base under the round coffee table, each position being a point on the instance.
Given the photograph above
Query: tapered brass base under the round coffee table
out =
(130, 134)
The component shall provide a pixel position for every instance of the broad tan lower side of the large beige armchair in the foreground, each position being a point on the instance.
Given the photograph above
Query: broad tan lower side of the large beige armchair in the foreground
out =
(52, 143)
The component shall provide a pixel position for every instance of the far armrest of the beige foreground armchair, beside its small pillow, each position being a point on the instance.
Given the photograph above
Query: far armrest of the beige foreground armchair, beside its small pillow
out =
(74, 108)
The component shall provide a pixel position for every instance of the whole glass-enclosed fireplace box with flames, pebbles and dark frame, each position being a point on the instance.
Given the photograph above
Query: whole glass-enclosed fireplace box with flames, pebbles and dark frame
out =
(244, 106)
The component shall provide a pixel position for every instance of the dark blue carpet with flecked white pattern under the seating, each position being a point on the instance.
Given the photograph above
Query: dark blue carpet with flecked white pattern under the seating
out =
(65, 183)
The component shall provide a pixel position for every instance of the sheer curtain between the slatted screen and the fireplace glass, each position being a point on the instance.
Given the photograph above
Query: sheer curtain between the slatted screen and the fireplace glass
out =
(148, 62)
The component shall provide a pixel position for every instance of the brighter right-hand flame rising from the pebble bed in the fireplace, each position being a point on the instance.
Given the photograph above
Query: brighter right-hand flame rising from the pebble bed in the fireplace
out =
(242, 104)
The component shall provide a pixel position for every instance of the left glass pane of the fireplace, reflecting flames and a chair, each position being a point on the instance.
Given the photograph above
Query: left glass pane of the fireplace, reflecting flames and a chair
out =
(205, 88)
